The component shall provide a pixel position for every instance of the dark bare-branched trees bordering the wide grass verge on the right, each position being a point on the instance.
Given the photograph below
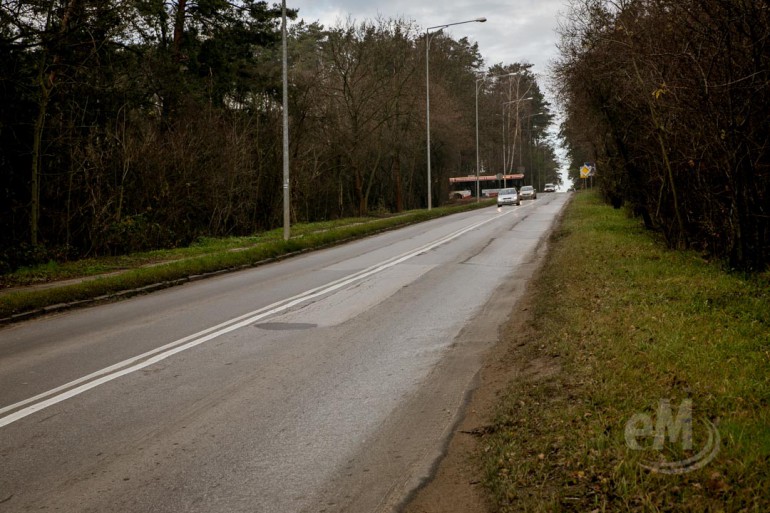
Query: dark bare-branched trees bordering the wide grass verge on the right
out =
(670, 99)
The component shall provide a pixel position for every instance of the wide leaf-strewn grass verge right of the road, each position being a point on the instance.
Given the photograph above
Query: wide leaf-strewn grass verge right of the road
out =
(618, 324)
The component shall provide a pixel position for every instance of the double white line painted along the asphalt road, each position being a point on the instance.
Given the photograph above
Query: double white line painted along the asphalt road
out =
(56, 395)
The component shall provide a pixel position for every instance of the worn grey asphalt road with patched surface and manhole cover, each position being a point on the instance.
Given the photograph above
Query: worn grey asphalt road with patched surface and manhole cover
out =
(326, 382)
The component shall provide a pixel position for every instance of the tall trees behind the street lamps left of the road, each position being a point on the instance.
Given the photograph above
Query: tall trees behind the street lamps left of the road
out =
(136, 124)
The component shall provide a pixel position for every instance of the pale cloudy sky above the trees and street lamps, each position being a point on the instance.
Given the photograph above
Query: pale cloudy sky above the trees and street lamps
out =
(515, 30)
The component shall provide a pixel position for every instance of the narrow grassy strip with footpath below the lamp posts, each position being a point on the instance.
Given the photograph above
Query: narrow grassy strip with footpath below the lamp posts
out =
(143, 271)
